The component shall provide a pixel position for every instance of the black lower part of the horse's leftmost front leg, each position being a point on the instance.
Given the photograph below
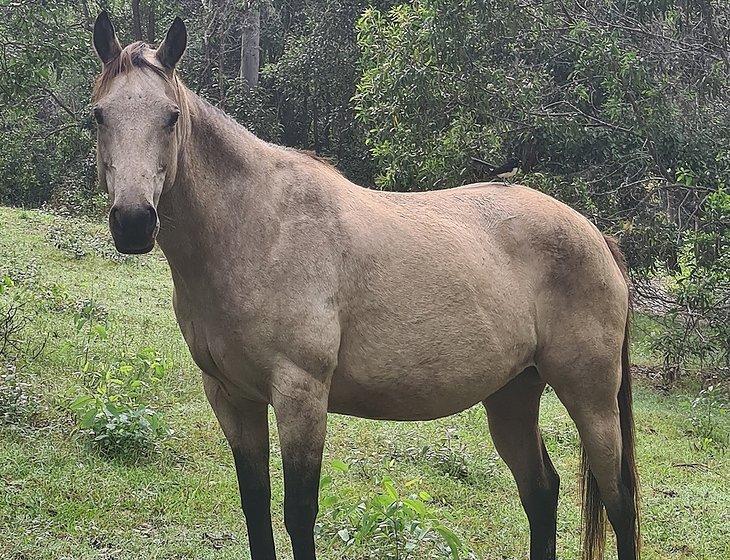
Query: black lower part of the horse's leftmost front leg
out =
(253, 483)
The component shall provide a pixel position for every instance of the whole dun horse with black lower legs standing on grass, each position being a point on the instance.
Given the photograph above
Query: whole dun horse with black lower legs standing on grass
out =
(298, 289)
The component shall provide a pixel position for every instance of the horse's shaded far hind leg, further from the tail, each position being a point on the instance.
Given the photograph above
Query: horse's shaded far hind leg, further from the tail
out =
(513, 413)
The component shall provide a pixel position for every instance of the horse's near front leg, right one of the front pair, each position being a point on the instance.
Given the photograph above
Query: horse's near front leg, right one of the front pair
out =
(300, 404)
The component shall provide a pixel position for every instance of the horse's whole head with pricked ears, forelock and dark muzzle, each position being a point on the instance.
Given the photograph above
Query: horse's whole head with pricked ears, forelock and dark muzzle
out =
(141, 116)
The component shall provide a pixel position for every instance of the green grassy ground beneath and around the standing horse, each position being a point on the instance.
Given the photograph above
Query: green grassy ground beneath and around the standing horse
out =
(61, 498)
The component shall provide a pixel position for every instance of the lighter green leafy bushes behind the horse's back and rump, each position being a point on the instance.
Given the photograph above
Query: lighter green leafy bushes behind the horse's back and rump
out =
(618, 108)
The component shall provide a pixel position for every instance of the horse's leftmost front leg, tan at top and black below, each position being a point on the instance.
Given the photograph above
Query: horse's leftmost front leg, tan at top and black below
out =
(246, 427)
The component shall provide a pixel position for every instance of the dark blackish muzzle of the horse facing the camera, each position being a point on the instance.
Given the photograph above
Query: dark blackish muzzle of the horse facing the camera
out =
(133, 228)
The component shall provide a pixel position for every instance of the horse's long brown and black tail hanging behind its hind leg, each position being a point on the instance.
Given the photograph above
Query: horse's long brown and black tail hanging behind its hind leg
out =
(594, 520)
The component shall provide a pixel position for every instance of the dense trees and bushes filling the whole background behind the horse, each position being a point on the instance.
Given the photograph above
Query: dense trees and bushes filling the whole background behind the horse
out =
(617, 108)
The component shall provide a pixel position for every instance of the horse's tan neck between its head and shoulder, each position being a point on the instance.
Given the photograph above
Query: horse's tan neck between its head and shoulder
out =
(219, 189)
